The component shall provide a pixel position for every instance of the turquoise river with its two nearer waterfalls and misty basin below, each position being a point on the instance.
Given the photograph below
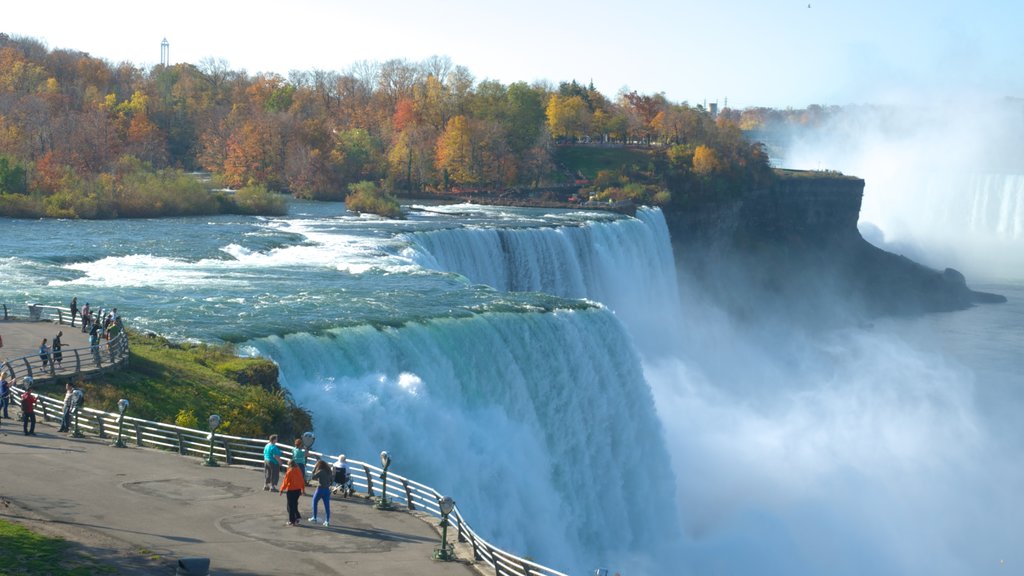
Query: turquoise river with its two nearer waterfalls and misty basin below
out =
(546, 369)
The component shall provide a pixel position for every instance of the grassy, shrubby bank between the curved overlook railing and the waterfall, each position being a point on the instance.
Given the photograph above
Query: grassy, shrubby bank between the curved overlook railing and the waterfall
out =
(185, 384)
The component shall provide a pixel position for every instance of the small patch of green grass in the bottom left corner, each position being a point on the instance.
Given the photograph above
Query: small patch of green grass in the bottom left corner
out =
(24, 552)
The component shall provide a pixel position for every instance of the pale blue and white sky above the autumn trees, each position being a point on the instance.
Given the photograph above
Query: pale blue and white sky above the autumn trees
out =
(740, 54)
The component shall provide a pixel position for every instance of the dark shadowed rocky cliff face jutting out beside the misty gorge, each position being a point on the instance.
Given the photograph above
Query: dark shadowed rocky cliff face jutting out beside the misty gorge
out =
(795, 250)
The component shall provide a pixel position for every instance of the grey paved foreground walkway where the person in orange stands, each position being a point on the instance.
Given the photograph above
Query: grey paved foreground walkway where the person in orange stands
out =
(143, 510)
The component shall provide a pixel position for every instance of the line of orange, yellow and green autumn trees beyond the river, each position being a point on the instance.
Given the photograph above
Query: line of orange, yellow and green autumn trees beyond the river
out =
(82, 138)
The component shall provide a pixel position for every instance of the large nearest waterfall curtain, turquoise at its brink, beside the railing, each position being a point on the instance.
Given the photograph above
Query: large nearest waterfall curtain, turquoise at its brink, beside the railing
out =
(540, 426)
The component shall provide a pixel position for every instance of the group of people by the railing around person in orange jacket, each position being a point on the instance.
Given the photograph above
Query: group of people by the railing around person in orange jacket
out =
(326, 478)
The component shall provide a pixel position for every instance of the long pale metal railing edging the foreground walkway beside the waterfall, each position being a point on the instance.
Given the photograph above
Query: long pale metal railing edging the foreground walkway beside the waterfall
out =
(367, 478)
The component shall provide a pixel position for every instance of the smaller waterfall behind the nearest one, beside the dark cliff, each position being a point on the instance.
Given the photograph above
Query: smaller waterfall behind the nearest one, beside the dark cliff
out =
(627, 265)
